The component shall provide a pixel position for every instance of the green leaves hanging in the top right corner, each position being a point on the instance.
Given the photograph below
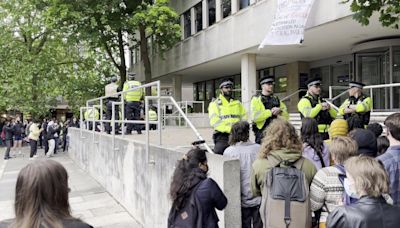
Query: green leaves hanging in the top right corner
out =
(389, 11)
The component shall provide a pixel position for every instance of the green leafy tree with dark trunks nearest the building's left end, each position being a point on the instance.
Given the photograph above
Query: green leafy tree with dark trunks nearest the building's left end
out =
(112, 25)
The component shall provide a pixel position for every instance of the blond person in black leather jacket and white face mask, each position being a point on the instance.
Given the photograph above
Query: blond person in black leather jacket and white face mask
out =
(367, 180)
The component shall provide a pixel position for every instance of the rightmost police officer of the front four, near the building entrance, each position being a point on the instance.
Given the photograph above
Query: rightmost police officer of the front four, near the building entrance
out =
(357, 105)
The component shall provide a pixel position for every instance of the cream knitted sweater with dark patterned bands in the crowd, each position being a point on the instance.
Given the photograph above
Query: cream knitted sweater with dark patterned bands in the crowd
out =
(326, 191)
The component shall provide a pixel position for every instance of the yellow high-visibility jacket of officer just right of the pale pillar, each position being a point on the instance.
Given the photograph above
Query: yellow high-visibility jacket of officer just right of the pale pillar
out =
(260, 114)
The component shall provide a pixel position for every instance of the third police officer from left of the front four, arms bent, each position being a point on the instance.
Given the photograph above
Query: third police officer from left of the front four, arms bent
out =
(313, 106)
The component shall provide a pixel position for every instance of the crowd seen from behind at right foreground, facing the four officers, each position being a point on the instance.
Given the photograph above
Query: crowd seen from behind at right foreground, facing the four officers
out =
(344, 181)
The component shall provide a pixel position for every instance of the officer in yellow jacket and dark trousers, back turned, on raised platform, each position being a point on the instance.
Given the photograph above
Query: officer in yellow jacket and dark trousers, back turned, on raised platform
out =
(133, 102)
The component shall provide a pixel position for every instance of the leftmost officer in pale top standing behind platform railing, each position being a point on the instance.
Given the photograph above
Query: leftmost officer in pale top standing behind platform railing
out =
(110, 90)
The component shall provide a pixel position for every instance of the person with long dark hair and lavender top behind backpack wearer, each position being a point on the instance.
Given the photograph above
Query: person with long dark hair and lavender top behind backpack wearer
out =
(314, 148)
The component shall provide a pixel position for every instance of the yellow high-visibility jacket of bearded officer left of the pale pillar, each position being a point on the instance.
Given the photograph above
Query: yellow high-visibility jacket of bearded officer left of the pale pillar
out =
(223, 114)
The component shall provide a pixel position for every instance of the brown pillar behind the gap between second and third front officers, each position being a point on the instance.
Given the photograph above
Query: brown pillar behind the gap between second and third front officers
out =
(294, 70)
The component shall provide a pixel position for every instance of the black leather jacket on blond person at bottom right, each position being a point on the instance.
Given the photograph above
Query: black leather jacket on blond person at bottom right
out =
(368, 212)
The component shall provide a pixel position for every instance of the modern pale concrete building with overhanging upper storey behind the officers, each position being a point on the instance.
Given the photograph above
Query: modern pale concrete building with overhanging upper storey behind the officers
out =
(220, 39)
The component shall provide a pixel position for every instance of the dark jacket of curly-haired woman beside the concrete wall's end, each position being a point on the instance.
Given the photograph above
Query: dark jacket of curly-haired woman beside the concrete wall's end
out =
(210, 197)
